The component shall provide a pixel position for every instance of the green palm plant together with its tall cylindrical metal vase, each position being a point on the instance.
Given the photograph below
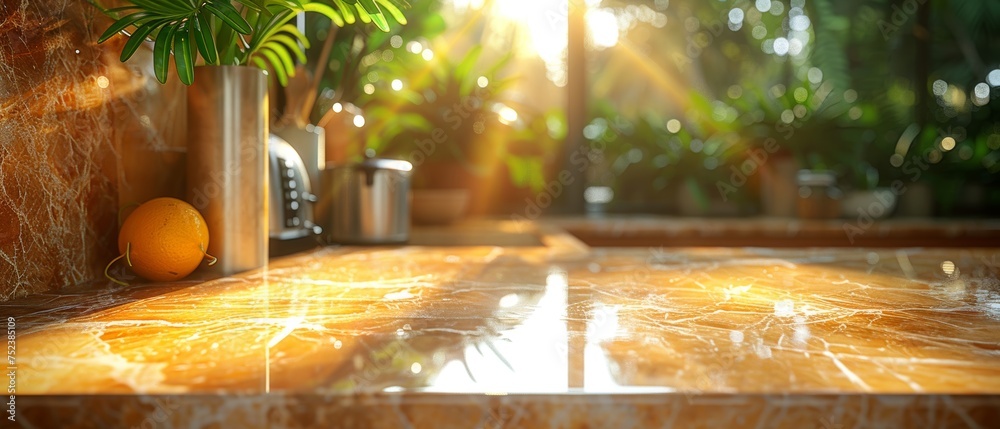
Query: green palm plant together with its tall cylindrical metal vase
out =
(227, 153)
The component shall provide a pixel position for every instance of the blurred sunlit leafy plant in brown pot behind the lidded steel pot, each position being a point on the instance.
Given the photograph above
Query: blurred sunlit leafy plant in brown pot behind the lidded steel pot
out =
(451, 122)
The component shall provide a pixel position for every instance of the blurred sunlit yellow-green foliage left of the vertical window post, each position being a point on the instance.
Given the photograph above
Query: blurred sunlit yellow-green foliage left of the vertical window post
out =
(446, 106)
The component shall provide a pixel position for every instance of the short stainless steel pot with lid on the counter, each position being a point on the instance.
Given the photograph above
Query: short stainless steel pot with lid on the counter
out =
(366, 203)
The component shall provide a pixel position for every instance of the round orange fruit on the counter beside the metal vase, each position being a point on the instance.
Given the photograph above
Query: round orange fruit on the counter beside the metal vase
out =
(164, 239)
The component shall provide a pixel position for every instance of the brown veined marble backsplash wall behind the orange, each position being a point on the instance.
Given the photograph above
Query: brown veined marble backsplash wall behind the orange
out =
(81, 135)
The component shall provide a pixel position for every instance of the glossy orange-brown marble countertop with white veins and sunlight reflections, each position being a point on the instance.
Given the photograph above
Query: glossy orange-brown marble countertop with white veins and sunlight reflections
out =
(551, 333)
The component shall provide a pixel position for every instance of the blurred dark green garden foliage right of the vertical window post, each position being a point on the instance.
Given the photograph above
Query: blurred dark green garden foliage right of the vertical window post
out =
(863, 74)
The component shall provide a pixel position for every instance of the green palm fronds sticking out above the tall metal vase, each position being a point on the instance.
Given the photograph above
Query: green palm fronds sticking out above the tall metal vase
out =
(230, 32)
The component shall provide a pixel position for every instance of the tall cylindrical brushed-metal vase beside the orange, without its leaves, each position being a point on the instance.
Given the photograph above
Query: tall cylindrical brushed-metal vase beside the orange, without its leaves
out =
(227, 166)
